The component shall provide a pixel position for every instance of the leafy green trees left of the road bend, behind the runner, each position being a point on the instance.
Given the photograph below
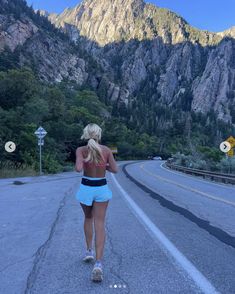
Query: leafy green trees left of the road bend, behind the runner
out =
(27, 103)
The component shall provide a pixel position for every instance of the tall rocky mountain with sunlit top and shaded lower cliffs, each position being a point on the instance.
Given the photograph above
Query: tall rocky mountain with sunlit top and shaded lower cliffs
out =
(147, 49)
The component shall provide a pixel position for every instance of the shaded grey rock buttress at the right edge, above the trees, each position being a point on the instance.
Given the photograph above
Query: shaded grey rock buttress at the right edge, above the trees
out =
(215, 87)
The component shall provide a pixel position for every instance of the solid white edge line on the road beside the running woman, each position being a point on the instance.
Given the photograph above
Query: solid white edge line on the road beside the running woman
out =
(199, 279)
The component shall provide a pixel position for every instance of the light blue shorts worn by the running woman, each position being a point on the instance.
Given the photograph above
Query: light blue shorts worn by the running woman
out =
(88, 194)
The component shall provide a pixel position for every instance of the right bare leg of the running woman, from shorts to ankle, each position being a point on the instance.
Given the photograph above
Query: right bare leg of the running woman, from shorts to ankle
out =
(99, 211)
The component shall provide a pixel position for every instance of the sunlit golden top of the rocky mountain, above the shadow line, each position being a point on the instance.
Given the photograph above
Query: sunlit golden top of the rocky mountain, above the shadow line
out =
(114, 20)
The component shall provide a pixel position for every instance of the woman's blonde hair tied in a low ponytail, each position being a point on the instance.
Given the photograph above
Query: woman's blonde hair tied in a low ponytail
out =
(92, 133)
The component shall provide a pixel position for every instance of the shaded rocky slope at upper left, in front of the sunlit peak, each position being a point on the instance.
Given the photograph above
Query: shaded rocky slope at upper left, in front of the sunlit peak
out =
(39, 46)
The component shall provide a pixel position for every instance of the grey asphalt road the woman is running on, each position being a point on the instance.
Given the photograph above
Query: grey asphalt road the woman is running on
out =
(166, 232)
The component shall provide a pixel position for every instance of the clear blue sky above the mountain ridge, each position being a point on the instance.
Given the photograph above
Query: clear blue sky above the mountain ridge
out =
(211, 15)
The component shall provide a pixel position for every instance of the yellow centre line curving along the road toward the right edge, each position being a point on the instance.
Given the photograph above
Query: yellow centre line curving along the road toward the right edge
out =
(188, 188)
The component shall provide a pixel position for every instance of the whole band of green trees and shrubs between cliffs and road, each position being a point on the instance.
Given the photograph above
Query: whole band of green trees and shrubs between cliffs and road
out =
(146, 129)
